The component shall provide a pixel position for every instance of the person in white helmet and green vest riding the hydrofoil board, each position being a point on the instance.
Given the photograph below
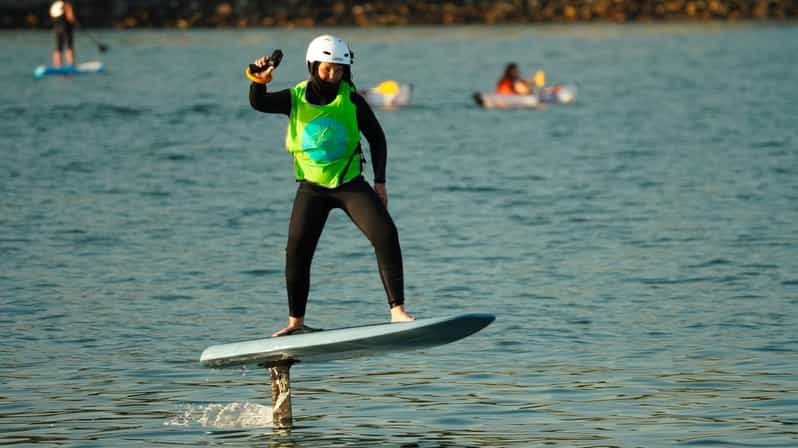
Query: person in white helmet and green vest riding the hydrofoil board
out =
(325, 118)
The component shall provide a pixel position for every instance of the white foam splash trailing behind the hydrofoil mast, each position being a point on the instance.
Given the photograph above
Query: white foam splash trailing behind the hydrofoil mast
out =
(224, 416)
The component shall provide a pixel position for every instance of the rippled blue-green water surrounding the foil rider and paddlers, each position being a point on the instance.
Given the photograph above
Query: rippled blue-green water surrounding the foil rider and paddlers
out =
(638, 247)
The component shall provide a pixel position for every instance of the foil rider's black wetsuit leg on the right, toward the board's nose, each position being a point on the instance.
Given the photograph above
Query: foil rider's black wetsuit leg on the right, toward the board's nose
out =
(366, 210)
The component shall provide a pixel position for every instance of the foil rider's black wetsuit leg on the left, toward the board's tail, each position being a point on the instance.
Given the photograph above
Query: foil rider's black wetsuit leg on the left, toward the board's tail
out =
(311, 208)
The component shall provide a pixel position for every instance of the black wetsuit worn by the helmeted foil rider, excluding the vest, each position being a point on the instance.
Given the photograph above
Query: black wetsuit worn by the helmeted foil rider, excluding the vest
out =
(313, 203)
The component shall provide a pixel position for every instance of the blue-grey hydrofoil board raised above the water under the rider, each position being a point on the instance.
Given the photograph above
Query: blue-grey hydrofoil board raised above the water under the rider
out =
(344, 343)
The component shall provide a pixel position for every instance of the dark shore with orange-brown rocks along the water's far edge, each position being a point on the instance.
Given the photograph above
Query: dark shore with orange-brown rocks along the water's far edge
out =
(304, 14)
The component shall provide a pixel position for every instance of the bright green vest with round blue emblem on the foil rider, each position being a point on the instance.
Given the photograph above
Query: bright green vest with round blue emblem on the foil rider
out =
(324, 139)
